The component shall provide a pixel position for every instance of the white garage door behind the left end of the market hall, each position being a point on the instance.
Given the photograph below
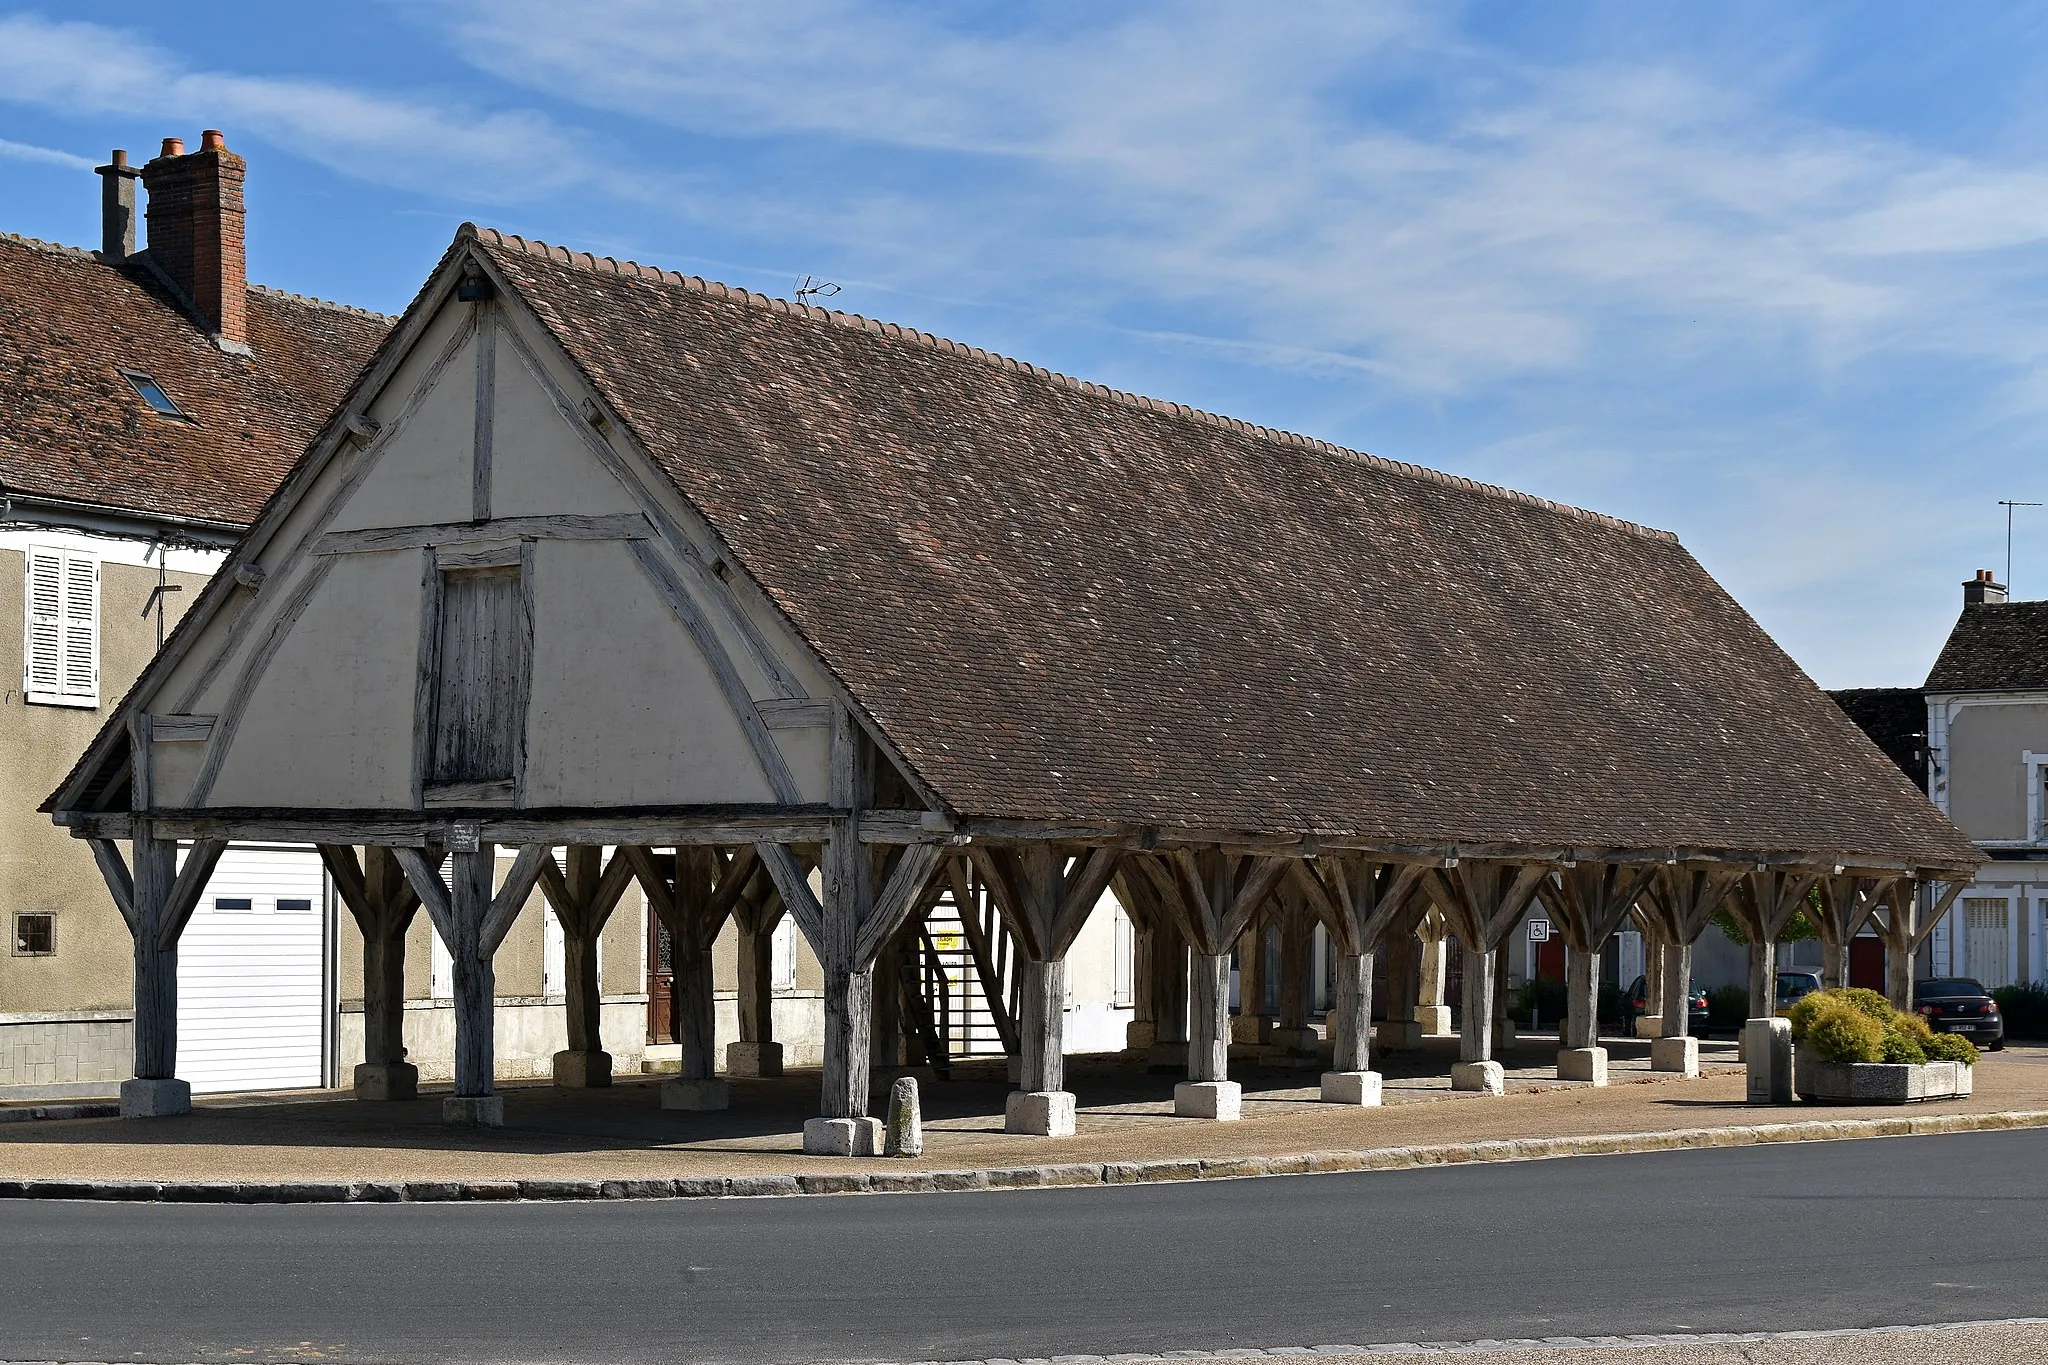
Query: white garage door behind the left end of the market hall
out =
(253, 1000)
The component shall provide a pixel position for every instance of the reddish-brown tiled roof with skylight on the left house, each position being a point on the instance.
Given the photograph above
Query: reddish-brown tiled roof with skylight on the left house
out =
(79, 431)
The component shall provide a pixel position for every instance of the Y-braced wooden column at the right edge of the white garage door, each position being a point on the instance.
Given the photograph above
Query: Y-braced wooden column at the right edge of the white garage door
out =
(382, 906)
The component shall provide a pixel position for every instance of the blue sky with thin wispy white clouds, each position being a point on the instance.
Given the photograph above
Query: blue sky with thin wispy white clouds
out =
(1773, 277)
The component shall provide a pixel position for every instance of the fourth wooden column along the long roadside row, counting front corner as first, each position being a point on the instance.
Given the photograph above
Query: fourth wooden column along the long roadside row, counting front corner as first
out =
(1357, 901)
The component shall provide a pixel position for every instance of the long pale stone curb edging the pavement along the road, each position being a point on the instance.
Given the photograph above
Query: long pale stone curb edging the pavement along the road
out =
(826, 1182)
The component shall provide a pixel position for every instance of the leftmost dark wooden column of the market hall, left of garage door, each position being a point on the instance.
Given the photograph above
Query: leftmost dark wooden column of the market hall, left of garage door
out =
(157, 901)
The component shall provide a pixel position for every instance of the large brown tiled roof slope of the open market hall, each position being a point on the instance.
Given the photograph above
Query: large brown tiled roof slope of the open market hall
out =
(1072, 605)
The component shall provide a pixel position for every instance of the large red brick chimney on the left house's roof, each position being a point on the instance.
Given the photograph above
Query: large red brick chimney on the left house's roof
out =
(196, 230)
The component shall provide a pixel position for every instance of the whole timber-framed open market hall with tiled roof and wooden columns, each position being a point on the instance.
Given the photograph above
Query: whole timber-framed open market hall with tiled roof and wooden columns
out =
(802, 613)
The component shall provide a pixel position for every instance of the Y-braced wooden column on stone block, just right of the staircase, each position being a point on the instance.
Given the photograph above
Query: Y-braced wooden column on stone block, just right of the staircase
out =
(1046, 895)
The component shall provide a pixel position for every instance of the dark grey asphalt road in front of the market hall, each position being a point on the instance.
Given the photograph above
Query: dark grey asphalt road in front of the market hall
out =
(1754, 1239)
